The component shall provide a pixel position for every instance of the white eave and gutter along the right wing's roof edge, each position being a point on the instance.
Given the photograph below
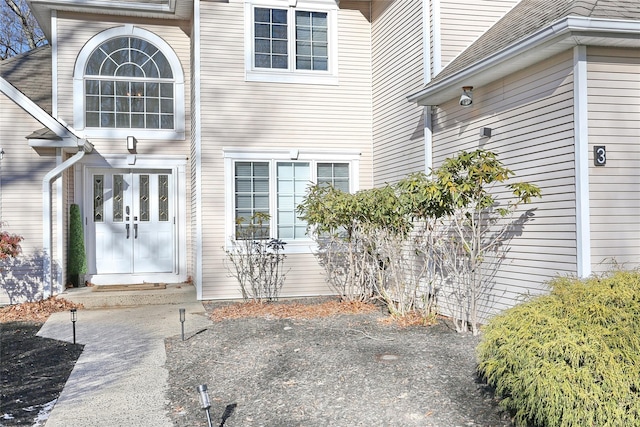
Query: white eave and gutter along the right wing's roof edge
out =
(556, 38)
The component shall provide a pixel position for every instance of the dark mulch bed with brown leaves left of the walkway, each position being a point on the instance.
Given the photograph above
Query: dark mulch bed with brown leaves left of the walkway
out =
(33, 370)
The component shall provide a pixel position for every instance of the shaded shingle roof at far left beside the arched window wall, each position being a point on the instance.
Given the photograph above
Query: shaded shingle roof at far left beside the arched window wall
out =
(30, 73)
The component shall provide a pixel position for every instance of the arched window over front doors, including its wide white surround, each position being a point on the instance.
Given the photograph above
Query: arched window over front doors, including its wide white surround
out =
(129, 78)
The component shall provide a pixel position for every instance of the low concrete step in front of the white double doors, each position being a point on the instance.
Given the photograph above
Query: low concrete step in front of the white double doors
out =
(173, 293)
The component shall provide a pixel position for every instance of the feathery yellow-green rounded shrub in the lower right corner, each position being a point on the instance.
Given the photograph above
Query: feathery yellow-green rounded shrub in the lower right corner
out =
(570, 358)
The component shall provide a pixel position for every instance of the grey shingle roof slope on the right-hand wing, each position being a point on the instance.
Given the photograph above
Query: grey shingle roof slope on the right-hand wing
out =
(529, 16)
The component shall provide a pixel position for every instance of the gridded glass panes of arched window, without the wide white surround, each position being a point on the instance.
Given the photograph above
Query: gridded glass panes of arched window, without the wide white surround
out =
(129, 84)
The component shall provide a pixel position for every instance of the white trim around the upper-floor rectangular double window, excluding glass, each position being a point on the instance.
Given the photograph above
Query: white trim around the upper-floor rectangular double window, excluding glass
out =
(291, 75)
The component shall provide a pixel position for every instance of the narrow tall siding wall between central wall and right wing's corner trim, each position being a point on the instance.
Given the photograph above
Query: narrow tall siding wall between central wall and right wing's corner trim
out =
(397, 61)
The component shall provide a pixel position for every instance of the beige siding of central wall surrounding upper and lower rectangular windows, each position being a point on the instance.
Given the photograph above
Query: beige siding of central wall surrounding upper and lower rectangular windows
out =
(258, 116)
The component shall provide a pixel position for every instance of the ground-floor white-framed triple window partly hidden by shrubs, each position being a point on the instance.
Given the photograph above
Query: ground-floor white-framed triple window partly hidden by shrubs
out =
(275, 185)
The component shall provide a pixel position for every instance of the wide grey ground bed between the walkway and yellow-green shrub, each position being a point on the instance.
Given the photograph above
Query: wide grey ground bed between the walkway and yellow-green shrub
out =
(265, 366)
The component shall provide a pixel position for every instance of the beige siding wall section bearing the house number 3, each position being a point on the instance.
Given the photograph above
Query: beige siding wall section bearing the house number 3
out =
(614, 122)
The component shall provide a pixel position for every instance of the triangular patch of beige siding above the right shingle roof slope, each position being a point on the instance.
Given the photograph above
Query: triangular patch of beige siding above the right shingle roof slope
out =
(463, 21)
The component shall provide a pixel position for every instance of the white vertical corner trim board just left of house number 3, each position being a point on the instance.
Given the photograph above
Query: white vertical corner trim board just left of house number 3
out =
(580, 108)
